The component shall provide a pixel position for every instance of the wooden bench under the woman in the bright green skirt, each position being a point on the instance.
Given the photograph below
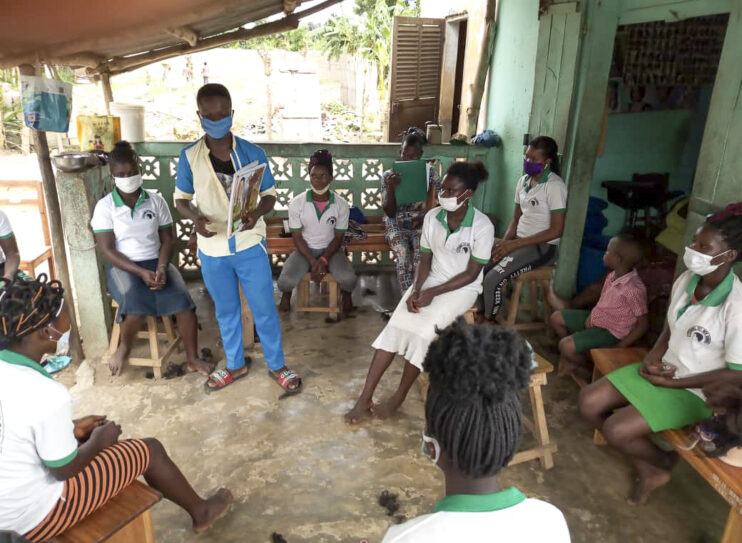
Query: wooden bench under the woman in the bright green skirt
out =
(725, 479)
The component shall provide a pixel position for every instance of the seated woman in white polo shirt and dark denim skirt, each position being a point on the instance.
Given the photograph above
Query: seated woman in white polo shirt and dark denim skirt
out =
(134, 230)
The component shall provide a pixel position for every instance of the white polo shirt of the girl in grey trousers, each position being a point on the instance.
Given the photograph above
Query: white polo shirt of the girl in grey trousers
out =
(318, 228)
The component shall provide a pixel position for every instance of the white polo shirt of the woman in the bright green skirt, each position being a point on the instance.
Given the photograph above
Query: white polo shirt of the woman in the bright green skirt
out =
(705, 335)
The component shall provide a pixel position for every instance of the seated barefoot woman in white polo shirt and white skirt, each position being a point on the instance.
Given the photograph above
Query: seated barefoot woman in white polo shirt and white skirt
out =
(456, 243)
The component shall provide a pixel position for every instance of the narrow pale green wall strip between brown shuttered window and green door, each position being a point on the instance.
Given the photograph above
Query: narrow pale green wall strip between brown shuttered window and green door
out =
(509, 101)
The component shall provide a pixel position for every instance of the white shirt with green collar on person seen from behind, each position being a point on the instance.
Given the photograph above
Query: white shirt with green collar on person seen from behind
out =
(506, 516)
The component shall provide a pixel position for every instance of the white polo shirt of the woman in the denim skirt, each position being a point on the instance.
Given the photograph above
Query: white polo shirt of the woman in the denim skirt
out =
(137, 231)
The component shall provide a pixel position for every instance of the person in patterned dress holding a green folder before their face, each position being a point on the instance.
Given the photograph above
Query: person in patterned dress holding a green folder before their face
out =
(403, 222)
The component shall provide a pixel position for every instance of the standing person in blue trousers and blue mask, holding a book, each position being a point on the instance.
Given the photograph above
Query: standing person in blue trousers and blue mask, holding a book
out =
(205, 172)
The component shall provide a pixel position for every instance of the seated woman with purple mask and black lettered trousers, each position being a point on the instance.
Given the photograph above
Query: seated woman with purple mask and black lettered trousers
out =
(532, 237)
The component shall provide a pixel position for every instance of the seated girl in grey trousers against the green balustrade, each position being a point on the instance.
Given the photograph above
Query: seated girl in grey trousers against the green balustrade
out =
(318, 219)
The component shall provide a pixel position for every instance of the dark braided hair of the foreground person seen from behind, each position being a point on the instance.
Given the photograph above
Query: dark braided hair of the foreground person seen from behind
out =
(473, 406)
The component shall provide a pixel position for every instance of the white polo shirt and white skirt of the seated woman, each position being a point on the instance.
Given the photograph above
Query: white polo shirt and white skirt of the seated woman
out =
(409, 334)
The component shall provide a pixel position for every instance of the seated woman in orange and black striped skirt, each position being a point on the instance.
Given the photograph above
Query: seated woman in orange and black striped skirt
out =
(55, 471)
